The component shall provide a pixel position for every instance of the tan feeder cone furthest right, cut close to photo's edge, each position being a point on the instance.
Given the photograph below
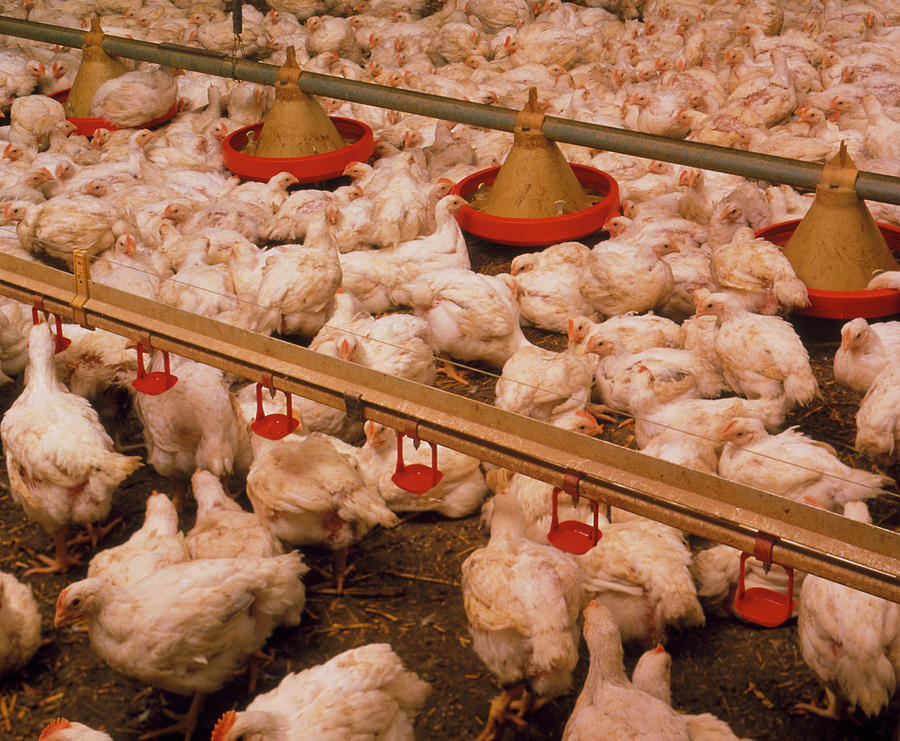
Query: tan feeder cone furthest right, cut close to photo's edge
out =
(838, 246)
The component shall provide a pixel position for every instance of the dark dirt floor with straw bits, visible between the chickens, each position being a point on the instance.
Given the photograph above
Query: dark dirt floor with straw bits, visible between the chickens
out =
(405, 590)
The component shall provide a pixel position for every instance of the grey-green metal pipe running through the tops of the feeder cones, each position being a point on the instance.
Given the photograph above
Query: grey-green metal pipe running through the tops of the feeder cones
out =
(799, 174)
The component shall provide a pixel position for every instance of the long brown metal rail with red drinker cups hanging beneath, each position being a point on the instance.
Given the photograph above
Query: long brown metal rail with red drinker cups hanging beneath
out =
(807, 538)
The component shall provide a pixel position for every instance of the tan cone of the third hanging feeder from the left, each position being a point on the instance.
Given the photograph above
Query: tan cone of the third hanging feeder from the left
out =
(536, 180)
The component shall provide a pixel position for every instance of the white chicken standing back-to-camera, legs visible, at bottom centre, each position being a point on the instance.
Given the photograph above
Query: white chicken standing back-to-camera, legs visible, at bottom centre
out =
(522, 601)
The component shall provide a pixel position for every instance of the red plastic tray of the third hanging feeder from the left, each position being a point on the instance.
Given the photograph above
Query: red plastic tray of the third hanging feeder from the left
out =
(544, 230)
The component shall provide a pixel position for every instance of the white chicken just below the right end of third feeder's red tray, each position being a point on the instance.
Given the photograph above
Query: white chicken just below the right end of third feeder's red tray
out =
(623, 277)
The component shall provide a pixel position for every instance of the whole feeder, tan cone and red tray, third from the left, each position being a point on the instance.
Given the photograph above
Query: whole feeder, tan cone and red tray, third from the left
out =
(536, 197)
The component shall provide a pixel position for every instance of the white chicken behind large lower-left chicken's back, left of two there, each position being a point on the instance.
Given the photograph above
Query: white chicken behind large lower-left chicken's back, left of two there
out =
(156, 544)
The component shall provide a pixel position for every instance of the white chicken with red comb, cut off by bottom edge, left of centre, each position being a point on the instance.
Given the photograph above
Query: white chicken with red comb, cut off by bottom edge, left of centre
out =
(378, 698)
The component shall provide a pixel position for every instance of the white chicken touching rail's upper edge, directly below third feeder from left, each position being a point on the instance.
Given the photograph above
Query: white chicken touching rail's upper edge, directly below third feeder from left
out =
(543, 384)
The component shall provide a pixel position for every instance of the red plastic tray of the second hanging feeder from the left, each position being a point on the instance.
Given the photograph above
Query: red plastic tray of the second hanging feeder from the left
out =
(310, 169)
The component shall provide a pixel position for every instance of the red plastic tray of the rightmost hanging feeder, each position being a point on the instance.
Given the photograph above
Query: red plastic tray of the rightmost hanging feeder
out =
(842, 304)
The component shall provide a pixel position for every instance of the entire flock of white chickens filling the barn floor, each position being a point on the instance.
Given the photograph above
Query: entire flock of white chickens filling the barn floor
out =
(676, 321)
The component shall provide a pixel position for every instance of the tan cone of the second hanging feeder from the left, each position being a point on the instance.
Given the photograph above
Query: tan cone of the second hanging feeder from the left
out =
(296, 125)
